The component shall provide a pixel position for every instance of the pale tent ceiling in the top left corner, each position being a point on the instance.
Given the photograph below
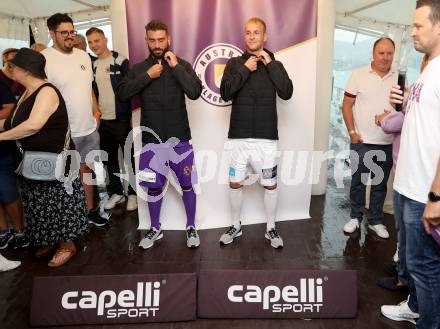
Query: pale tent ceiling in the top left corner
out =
(44, 8)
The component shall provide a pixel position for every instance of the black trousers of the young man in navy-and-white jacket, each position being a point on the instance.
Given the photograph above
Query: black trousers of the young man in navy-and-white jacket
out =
(113, 134)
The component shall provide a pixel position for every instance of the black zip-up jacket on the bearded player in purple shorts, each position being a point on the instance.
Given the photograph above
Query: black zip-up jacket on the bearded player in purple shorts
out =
(163, 107)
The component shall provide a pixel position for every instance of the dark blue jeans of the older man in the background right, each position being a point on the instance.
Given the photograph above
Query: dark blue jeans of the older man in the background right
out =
(359, 178)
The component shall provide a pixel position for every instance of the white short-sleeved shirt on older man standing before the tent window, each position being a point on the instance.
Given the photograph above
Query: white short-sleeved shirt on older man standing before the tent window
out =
(372, 97)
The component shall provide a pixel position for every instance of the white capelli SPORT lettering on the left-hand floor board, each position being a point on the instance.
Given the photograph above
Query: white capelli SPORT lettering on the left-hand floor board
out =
(141, 302)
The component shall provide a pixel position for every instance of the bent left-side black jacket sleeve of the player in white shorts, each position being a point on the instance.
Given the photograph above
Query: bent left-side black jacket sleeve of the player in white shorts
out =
(233, 79)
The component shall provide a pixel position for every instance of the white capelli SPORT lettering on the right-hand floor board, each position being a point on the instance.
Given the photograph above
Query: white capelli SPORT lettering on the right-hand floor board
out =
(305, 298)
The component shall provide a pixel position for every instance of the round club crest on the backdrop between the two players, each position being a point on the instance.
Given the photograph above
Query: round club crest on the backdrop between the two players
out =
(209, 67)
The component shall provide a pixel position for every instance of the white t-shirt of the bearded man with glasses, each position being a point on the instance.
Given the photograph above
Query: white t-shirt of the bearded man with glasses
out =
(72, 75)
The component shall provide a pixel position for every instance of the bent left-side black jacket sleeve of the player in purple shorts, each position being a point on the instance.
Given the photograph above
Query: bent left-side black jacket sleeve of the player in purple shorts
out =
(132, 84)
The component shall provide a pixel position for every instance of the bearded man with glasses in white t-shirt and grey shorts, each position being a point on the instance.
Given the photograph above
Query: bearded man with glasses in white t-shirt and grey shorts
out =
(70, 70)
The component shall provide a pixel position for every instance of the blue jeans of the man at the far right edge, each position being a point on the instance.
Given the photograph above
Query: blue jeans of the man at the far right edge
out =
(422, 256)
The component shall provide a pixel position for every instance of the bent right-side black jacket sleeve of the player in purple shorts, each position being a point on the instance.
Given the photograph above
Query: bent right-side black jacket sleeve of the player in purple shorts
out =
(188, 80)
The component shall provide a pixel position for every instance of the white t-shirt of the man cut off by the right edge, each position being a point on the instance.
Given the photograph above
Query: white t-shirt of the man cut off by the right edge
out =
(420, 140)
